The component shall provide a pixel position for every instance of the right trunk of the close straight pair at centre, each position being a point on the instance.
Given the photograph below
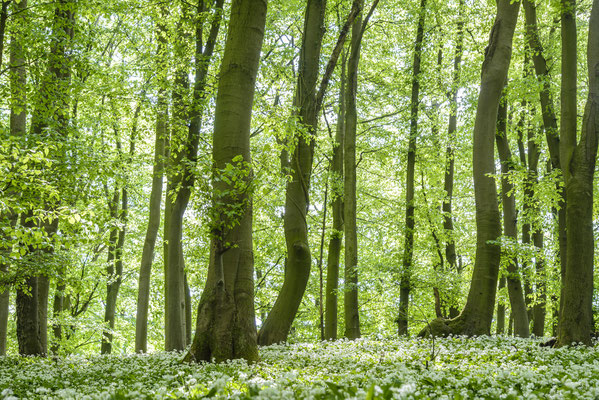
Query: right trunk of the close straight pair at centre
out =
(350, 293)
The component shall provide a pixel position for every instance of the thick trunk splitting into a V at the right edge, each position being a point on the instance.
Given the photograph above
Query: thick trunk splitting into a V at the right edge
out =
(576, 317)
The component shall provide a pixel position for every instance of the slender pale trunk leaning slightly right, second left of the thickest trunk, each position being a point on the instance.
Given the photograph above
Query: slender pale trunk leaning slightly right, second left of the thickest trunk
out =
(147, 256)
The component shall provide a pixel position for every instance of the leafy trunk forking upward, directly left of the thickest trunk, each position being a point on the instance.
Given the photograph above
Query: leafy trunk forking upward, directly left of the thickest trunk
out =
(183, 156)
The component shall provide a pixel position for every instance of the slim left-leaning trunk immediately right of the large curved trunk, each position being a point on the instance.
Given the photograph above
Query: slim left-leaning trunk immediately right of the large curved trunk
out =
(510, 226)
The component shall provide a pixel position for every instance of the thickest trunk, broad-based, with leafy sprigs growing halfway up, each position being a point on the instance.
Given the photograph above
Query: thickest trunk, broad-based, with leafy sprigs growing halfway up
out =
(226, 326)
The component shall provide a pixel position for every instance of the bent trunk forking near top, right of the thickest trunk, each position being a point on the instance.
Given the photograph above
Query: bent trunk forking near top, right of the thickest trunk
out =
(307, 102)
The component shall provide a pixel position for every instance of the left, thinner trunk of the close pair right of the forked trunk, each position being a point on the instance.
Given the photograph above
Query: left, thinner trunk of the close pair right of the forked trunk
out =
(337, 211)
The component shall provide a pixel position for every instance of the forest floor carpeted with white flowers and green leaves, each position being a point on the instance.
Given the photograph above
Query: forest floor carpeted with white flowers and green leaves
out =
(452, 368)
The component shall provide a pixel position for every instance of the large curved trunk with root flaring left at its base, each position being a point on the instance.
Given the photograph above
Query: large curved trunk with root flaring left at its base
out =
(477, 315)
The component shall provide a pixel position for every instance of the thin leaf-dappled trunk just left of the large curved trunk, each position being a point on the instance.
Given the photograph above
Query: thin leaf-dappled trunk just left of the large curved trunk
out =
(450, 252)
